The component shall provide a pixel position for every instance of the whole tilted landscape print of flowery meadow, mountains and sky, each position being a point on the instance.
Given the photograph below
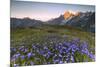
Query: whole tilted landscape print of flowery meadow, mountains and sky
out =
(51, 33)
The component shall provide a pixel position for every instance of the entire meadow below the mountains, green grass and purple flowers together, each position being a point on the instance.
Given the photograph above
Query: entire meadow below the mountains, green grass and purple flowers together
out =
(51, 45)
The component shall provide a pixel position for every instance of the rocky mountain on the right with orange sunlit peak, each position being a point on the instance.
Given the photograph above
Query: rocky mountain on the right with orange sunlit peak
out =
(81, 20)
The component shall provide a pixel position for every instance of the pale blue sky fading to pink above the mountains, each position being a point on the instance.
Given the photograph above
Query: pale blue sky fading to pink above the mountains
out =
(44, 11)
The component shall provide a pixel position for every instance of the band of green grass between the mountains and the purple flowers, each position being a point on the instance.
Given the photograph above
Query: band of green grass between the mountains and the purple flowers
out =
(28, 36)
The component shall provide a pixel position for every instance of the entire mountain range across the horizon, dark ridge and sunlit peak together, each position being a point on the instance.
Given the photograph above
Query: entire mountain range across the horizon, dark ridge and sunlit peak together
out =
(82, 20)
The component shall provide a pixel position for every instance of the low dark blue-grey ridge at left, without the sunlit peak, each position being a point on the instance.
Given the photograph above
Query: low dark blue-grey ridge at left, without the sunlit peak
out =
(24, 23)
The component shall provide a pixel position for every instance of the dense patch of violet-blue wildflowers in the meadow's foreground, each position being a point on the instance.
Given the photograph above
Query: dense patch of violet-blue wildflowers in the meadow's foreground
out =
(56, 53)
